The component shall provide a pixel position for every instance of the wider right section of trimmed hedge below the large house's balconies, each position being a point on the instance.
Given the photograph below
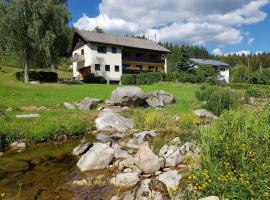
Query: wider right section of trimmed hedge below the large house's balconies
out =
(149, 78)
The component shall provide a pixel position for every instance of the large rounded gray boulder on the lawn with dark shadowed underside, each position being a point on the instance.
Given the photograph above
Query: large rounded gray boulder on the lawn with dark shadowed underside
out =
(128, 96)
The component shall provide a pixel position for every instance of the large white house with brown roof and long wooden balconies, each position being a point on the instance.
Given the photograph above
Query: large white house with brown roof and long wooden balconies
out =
(111, 56)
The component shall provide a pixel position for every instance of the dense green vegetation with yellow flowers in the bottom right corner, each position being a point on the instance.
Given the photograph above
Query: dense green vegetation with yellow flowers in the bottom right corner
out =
(235, 157)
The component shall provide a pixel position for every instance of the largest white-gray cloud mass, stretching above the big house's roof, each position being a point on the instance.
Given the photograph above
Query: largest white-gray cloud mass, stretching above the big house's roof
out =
(187, 21)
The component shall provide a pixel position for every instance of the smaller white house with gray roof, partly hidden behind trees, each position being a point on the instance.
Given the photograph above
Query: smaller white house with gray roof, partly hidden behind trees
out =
(221, 67)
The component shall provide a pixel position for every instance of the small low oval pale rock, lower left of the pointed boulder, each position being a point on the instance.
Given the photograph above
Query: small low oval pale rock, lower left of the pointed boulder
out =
(125, 180)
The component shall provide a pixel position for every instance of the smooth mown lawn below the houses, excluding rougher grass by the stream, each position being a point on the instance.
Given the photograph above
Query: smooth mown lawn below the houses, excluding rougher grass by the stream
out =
(15, 94)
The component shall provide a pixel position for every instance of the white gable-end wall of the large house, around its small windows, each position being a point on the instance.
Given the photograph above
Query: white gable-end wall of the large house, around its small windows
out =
(92, 57)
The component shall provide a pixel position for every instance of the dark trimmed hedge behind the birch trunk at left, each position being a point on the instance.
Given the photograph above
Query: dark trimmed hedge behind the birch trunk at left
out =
(48, 77)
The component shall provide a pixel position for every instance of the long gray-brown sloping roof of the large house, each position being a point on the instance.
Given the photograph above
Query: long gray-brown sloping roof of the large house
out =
(104, 38)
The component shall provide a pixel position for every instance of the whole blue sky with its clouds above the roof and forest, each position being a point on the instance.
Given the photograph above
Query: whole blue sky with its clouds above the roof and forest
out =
(224, 25)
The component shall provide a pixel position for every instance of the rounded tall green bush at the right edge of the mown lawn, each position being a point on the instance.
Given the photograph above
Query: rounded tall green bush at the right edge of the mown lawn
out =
(218, 99)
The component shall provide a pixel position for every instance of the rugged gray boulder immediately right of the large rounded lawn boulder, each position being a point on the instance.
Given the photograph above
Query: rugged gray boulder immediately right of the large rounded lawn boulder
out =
(159, 98)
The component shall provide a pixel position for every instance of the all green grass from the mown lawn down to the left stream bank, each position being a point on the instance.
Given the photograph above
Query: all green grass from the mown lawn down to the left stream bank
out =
(57, 121)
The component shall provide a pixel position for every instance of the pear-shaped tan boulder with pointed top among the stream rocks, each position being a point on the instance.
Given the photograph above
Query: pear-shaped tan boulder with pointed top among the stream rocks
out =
(146, 160)
